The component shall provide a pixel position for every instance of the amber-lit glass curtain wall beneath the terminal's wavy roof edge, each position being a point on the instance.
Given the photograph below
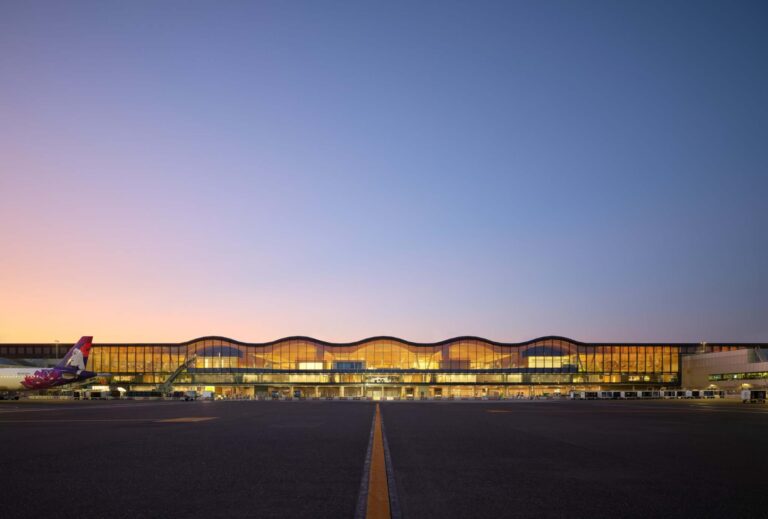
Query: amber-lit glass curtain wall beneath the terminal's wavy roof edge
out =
(462, 360)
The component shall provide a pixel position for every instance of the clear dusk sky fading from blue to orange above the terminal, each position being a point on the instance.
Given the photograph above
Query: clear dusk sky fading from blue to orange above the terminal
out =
(512, 169)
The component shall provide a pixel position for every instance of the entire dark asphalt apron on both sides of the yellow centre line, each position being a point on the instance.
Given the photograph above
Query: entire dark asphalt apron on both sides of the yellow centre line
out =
(306, 459)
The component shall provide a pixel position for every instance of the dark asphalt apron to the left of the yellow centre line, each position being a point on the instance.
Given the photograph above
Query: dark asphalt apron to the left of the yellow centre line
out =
(254, 459)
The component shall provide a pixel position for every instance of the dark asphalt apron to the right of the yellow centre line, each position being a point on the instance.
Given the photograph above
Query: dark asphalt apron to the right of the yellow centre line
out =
(580, 459)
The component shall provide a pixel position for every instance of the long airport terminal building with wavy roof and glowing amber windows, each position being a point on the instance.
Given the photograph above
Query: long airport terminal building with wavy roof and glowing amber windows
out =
(384, 367)
